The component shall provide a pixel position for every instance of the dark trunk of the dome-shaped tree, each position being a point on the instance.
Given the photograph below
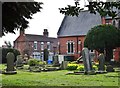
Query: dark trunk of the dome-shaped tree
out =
(108, 54)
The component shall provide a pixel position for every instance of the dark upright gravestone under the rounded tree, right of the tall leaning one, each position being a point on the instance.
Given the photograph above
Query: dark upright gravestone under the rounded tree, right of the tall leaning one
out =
(101, 59)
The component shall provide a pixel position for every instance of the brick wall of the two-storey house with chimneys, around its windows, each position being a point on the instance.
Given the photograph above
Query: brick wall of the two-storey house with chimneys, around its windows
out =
(21, 44)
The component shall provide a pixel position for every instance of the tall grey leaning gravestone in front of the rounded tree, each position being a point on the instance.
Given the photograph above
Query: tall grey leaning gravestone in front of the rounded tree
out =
(87, 61)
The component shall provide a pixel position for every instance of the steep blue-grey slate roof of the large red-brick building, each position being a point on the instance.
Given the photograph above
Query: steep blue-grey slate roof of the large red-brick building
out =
(78, 26)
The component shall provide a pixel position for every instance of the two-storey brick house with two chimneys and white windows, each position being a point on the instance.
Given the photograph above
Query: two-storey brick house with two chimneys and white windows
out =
(34, 45)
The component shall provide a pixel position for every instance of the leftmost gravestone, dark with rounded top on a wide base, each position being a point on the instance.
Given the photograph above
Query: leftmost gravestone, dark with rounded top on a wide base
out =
(10, 64)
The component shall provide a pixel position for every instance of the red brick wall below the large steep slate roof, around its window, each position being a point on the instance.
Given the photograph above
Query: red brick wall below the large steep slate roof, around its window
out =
(77, 48)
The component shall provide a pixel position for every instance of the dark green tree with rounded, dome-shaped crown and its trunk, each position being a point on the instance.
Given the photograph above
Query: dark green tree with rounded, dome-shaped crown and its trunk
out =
(103, 38)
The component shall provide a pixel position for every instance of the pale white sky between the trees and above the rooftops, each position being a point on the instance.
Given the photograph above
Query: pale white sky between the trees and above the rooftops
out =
(49, 18)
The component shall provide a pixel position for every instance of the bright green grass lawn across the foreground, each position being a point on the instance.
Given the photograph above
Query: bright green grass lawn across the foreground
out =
(59, 78)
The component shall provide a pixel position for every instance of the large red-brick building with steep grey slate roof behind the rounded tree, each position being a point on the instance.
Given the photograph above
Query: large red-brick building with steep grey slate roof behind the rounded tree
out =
(72, 32)
